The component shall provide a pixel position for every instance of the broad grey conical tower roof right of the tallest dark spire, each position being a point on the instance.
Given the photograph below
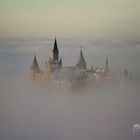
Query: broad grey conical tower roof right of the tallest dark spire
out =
(81, 63)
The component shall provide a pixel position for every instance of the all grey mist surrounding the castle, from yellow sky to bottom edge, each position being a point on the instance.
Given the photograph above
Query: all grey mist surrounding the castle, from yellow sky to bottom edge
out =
(34, 112)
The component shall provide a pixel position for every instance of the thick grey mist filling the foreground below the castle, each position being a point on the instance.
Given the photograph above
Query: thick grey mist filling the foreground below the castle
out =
(34, 112)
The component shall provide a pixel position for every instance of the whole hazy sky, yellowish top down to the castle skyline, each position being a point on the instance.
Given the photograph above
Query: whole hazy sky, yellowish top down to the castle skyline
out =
(103, 27)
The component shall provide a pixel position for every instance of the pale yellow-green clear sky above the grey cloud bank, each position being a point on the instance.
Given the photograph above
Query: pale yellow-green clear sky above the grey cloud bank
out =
(70, 18)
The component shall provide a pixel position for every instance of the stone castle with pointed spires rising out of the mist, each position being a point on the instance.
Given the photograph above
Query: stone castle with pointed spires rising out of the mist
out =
(79, 74)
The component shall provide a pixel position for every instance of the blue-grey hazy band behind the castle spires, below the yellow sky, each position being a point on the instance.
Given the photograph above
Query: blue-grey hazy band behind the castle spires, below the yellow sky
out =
(17, 53)
